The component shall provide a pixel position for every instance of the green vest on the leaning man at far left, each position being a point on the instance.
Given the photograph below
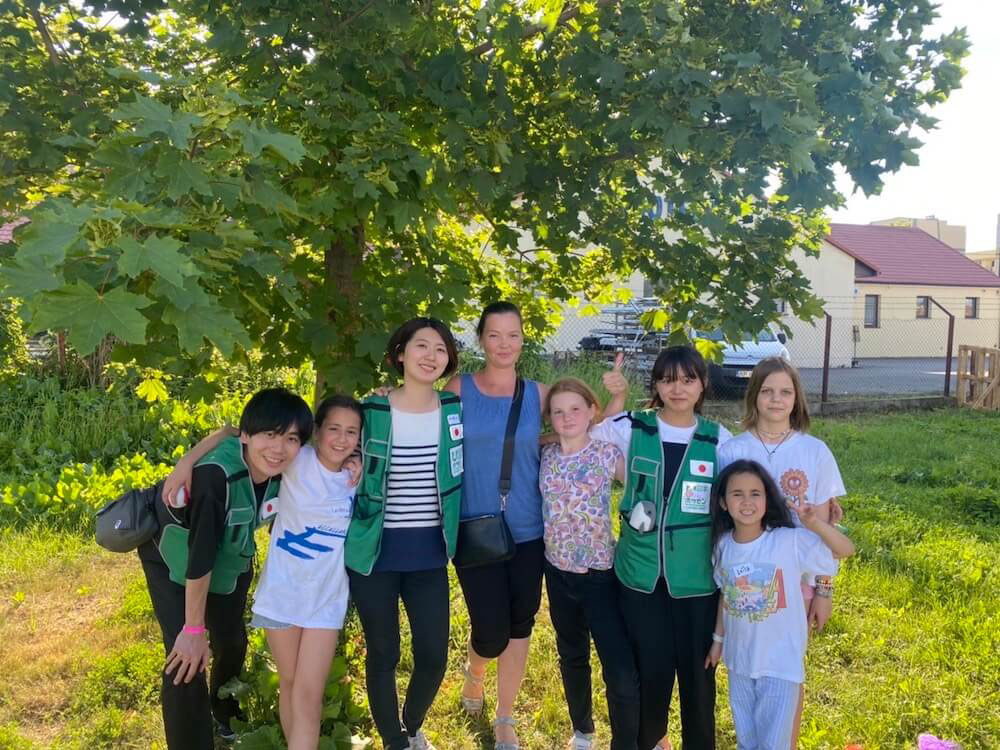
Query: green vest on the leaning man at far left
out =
(236, 551)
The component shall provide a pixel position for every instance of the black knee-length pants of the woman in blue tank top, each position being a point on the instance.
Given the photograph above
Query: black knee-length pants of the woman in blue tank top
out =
(503, 598)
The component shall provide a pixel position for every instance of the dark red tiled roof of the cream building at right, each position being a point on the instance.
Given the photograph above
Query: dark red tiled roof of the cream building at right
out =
(907, 255)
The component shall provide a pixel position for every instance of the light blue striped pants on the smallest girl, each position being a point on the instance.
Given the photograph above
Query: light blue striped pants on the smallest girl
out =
(763, 711)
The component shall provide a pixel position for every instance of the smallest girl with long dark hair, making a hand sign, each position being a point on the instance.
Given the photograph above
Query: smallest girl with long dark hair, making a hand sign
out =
(761, 630)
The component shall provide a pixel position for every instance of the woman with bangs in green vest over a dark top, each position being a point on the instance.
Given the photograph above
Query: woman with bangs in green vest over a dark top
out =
(663, 556)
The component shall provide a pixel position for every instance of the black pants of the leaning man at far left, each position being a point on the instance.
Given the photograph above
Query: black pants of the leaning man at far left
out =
(188, 708)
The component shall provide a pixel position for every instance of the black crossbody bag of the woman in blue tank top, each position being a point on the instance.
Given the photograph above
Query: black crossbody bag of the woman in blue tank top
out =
(487, 539)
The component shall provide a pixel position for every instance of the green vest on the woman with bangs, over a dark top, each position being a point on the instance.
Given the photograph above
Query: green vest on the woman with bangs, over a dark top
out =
(679, 547)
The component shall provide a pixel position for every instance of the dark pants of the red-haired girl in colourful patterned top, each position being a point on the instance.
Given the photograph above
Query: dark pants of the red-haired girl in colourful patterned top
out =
(583, 605)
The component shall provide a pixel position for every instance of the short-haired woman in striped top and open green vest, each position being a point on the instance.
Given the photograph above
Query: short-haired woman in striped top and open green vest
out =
(405, 525)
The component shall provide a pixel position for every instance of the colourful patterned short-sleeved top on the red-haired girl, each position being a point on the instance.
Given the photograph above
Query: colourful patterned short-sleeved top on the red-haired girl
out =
(576, 506)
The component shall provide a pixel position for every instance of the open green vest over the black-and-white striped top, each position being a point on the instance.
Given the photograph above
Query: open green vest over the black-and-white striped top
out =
(364, 535)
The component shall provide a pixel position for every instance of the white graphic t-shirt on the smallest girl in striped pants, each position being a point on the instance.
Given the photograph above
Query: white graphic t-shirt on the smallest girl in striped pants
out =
(763, 609)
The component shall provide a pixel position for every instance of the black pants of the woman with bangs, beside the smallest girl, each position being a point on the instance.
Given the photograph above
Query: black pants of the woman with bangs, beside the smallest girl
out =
(672, 636)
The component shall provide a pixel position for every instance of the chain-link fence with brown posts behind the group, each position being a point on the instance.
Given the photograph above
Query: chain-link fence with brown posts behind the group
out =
(899, 349)
